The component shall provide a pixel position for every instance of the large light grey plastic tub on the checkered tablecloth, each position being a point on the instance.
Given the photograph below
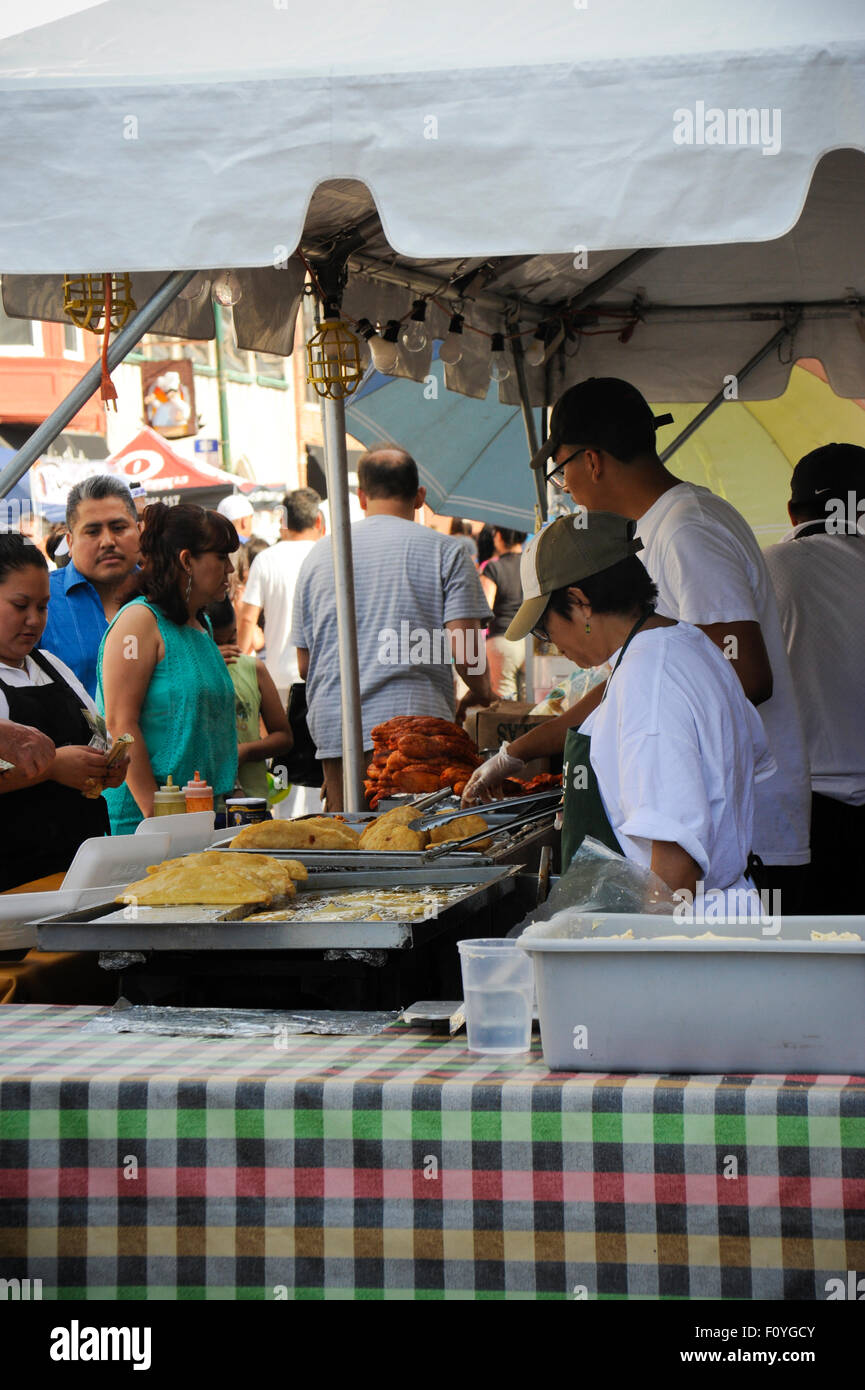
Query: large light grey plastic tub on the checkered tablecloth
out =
(770, 1004)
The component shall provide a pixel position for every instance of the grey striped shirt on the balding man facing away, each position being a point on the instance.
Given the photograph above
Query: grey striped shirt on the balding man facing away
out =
(410, 583)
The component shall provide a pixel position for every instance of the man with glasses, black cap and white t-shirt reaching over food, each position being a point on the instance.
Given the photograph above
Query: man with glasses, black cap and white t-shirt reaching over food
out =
(710, 572)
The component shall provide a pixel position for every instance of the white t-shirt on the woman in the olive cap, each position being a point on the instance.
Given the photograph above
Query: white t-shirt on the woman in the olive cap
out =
(677, 750)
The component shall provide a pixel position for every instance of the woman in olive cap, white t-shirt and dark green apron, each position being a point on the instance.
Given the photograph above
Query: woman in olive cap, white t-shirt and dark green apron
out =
(664, 769)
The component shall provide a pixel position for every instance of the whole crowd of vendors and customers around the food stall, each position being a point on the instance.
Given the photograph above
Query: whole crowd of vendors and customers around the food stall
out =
(727, 749)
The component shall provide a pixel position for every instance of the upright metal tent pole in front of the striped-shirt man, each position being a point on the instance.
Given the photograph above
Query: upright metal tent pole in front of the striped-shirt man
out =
(336, 464)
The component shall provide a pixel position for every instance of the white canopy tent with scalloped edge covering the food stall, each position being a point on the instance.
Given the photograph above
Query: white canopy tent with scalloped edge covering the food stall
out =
(682, 191)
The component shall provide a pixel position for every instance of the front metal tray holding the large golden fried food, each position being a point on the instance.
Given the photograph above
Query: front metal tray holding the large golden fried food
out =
(158, 929)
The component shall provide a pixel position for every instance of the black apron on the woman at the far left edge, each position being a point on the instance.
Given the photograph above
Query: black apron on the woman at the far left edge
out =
(45, 825)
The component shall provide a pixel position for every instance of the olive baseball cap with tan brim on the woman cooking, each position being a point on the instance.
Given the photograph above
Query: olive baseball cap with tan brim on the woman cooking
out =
(568, 551)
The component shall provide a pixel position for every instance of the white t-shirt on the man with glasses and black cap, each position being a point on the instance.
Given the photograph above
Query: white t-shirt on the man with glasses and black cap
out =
(709, 568)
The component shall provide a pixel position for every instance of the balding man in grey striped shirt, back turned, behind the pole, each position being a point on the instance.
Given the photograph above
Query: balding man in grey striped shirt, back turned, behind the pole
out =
(417, 591)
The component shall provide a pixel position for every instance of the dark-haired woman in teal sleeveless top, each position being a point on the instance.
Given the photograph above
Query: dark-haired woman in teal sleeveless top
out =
(161, 676)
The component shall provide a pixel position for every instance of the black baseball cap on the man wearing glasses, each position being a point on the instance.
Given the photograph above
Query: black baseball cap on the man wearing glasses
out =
(604, 412)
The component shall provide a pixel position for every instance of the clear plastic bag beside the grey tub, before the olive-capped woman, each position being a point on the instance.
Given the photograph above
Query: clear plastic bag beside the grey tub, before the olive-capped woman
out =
(599, 881)
